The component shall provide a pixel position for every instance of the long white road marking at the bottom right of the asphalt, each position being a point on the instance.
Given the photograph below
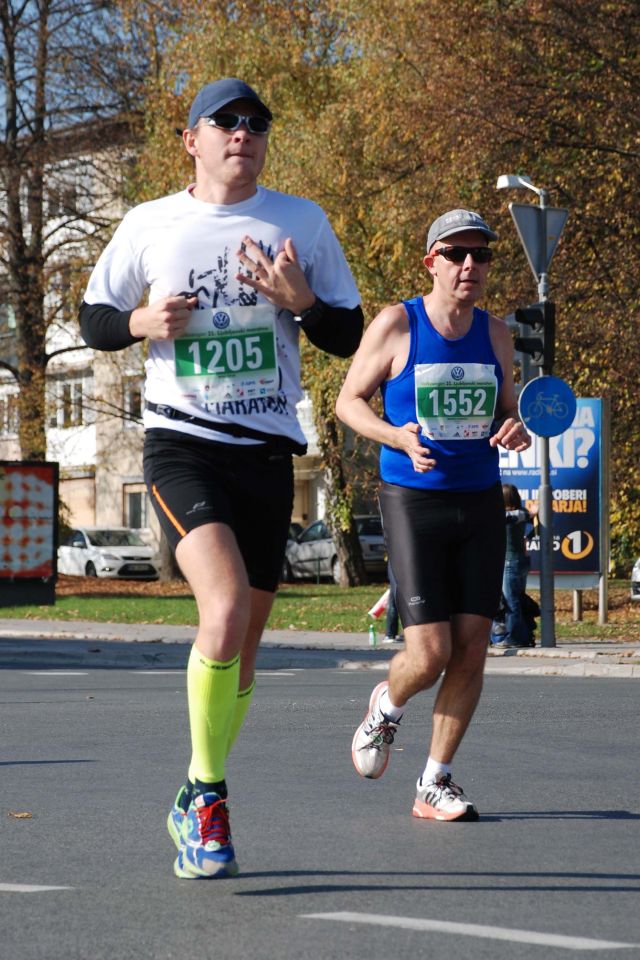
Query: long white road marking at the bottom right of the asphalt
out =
(474, 930)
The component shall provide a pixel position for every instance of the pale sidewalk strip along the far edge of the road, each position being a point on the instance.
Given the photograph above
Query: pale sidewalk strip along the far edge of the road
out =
(55, 643)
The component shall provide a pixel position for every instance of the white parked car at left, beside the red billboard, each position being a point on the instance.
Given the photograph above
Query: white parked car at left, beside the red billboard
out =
(107, 552)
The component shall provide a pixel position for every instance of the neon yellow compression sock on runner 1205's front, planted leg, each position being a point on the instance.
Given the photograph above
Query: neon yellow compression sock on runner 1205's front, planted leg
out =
(212, 691)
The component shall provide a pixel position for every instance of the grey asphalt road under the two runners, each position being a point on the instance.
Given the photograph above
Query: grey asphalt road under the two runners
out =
(332, 866)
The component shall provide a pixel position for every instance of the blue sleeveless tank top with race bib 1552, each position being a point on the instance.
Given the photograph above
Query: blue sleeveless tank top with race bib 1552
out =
(450, 387)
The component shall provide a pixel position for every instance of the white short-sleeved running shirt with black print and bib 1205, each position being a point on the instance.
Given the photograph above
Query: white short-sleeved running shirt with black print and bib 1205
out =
(238, 360)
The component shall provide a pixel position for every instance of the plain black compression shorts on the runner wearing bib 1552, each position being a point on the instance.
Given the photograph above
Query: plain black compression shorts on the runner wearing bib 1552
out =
(446, 550)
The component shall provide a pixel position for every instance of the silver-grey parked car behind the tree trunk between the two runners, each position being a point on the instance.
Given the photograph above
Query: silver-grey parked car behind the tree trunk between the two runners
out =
(313, 554)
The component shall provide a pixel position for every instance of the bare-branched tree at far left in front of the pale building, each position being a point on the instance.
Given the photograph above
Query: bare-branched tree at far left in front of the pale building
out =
(72, 74)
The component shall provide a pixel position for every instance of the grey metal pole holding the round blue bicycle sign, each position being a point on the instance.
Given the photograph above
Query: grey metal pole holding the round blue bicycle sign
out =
(547, 604)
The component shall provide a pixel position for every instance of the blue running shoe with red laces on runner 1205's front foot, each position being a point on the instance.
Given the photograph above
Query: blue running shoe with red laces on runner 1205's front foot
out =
(206, 851)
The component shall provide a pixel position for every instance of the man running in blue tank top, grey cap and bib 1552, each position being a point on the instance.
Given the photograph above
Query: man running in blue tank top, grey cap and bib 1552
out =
(445, 371)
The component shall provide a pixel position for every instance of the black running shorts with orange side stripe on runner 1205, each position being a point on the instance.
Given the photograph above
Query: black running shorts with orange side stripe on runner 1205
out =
(193, 481)
